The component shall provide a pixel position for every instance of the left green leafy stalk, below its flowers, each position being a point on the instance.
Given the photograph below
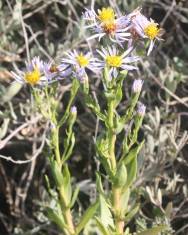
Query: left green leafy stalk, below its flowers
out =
(63, 217)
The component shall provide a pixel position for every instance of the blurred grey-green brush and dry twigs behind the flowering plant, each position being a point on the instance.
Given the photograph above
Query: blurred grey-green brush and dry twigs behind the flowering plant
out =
(48, 28)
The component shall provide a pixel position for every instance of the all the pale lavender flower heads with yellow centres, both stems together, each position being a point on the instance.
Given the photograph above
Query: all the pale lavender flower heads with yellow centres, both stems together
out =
(104, 22)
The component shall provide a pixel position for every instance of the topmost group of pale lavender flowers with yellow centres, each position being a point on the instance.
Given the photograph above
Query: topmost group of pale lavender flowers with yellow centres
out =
(122, 28)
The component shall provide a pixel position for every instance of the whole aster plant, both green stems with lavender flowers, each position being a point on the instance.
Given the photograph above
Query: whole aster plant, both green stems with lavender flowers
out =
(111, 61)
